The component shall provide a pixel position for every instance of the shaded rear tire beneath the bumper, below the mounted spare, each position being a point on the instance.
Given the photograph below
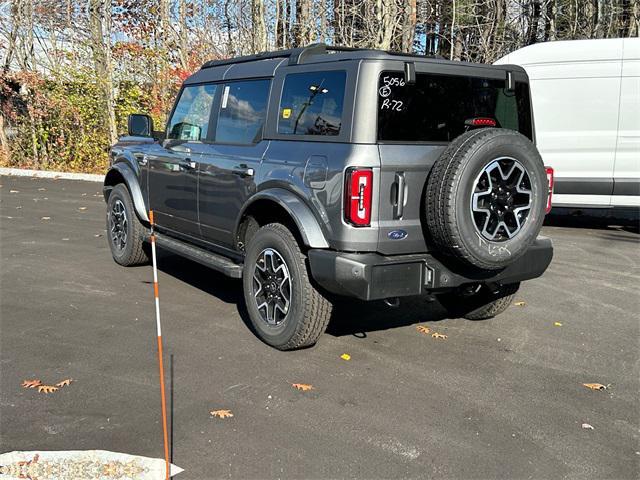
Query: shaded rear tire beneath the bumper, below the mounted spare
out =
(478, 305)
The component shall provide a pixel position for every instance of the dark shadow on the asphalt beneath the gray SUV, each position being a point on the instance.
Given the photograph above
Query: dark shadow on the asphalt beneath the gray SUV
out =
(349, 316)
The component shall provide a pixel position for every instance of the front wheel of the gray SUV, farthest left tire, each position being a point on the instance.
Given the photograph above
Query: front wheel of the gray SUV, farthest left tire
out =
(125, 233)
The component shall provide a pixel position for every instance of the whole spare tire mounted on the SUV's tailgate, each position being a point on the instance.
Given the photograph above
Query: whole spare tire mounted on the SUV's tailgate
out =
(486, 197)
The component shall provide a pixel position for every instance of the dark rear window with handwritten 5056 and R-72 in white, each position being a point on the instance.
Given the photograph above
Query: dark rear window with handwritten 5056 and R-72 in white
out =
(436, 107)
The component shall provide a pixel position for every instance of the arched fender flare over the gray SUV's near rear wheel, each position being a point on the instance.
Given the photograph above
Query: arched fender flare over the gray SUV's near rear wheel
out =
(305, 220)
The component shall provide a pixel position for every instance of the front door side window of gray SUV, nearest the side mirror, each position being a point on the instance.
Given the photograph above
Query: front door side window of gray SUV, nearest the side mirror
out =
(190, 119)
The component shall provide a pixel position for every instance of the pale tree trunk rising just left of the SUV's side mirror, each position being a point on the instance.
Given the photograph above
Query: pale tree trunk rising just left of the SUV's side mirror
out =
(100, 28)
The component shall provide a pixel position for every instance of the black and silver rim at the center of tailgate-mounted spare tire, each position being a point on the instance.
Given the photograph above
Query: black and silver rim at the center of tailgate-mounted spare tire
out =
(501, 199)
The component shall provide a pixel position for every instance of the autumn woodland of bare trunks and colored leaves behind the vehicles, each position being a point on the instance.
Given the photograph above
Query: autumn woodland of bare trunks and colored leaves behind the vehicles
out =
(71, 72)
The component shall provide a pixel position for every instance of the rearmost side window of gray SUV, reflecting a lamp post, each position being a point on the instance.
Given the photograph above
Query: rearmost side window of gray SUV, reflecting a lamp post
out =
(312, 103)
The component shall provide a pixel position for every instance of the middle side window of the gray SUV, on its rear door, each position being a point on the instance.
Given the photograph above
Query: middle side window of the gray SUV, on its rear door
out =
(243, 106)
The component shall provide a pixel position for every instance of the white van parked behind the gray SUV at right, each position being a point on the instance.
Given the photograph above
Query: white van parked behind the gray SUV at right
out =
(586, 107)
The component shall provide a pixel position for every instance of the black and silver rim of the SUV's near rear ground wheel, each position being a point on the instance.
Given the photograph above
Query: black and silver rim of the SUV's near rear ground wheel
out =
(272, 287)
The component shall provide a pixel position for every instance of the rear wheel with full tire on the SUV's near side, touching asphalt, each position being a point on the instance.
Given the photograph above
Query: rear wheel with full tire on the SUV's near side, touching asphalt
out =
(286, 310)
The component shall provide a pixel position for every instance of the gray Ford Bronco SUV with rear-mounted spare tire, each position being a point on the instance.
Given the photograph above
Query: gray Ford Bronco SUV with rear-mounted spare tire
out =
(319, 173)
